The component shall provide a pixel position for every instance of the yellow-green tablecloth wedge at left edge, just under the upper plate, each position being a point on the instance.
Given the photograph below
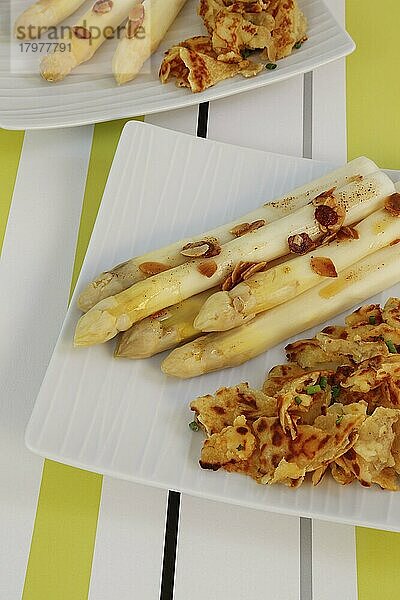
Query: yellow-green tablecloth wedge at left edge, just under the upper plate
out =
(10, 152)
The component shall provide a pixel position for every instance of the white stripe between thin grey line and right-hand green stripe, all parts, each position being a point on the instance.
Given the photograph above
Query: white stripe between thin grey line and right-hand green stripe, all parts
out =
(334, 549)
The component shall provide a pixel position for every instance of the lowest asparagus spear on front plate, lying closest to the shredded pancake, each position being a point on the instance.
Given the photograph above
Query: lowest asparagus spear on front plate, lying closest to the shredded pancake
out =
(216, 351)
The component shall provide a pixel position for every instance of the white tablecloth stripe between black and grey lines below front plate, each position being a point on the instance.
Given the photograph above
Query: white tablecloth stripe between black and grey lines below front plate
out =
(233, 553)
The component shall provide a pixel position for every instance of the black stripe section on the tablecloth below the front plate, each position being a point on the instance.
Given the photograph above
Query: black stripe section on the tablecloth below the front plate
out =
(170, 545)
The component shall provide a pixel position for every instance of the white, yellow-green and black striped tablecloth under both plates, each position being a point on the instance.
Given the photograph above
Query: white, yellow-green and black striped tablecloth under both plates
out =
(71, 535)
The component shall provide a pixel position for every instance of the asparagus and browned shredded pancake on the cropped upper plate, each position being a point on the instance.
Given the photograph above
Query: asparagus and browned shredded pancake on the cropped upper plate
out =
(236, 29)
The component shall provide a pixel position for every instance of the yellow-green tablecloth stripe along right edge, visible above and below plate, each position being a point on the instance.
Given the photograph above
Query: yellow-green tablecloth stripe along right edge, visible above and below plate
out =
(373, 91)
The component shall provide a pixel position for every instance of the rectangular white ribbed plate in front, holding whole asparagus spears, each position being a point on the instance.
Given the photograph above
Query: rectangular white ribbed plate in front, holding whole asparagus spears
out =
(125, 418)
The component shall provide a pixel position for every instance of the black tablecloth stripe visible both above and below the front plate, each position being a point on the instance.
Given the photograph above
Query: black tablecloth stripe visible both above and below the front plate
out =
(174, 498)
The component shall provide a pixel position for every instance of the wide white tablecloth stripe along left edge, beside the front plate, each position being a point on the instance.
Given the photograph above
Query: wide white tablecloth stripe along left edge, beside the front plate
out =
(35, 273)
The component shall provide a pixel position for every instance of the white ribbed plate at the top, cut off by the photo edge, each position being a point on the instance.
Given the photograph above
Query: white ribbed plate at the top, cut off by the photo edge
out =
(27, 102)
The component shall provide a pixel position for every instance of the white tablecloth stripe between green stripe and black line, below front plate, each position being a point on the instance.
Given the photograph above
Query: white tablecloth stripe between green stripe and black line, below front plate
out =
(129, 544)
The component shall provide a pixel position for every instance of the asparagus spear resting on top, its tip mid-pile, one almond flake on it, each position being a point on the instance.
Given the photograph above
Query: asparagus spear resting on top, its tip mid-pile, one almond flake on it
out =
(228, 309)
